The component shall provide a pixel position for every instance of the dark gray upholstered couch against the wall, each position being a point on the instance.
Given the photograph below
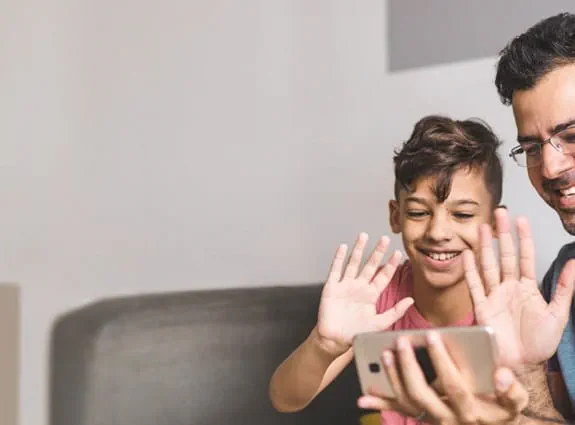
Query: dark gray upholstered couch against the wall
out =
(192, 358)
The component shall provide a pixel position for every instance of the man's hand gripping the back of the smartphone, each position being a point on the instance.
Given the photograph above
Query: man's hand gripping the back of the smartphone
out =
(415, 397)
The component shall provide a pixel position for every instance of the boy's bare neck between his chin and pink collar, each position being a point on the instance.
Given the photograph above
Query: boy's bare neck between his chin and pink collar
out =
(442, 307)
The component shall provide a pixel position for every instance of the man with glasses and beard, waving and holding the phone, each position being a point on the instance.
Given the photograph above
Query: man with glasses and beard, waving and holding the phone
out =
(536, 76)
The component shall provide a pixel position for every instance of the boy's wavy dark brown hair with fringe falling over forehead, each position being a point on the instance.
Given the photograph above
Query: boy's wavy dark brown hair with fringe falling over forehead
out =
(439, 146)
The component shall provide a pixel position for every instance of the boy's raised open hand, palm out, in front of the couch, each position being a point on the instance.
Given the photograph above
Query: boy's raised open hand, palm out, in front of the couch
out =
(348, 300)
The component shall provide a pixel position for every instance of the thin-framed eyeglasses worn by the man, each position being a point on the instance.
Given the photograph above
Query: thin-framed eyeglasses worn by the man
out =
(528, 154)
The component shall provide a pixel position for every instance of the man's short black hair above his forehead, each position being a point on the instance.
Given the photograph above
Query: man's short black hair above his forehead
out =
(528, 57)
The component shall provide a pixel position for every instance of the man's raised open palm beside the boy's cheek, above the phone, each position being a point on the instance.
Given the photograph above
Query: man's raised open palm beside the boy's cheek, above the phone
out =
(506, 295)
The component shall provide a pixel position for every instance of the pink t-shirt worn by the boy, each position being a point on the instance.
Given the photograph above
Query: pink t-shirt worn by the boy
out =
(401, 286)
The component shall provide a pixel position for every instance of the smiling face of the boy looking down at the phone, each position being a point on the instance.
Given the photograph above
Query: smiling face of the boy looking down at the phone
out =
(435, 234)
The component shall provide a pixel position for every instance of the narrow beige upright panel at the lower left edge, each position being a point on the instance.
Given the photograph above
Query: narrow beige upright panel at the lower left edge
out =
(9, 353)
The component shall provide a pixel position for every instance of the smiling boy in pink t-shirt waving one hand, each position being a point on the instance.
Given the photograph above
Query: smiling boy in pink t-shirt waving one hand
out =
(448, 181)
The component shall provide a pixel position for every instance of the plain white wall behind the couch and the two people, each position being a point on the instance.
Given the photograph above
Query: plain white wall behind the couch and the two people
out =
(151, 146)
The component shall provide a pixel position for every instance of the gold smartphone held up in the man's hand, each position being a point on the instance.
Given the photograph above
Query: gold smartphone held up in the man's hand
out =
(472, 348)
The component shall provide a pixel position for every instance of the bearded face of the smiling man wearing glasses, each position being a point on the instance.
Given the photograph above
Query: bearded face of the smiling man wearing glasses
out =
(537, 112)
